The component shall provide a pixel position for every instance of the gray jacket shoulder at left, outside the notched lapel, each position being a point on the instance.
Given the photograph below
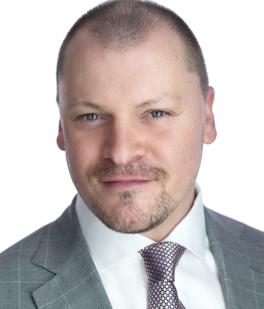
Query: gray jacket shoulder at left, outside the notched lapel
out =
(18, 275)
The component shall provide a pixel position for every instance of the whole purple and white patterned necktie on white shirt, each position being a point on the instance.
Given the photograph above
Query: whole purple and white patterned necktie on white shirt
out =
(160, 261)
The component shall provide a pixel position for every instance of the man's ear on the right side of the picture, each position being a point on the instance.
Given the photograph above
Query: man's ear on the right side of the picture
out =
(209, 124)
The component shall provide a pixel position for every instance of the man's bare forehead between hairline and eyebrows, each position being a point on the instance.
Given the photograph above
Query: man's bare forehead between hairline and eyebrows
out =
(156, 64)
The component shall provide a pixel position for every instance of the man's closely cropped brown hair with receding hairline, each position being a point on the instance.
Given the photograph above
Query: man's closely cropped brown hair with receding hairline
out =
(124, 23)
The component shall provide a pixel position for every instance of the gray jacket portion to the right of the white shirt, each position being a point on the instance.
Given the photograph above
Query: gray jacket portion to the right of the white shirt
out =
(240, 261)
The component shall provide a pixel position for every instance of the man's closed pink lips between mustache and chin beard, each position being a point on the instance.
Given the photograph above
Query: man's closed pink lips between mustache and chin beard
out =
(124, 182)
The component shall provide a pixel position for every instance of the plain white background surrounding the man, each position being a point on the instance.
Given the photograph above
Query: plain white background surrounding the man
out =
(34, 181)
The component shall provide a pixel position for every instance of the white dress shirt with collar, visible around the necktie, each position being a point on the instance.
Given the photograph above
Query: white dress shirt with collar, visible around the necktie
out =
(122, 270)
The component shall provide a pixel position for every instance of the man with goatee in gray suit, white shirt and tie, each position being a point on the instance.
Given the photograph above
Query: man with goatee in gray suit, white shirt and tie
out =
(135, 109)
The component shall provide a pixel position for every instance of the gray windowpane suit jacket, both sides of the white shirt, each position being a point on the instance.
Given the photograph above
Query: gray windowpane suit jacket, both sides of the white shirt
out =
(52, 268)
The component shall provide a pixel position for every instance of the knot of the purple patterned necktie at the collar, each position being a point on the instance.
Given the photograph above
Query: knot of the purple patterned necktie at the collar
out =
(161, 259)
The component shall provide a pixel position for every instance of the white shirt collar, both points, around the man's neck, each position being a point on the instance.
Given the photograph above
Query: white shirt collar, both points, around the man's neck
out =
(108, 247)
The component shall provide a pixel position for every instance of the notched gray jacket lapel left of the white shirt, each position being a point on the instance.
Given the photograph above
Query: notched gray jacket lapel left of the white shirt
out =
(75, 282)
